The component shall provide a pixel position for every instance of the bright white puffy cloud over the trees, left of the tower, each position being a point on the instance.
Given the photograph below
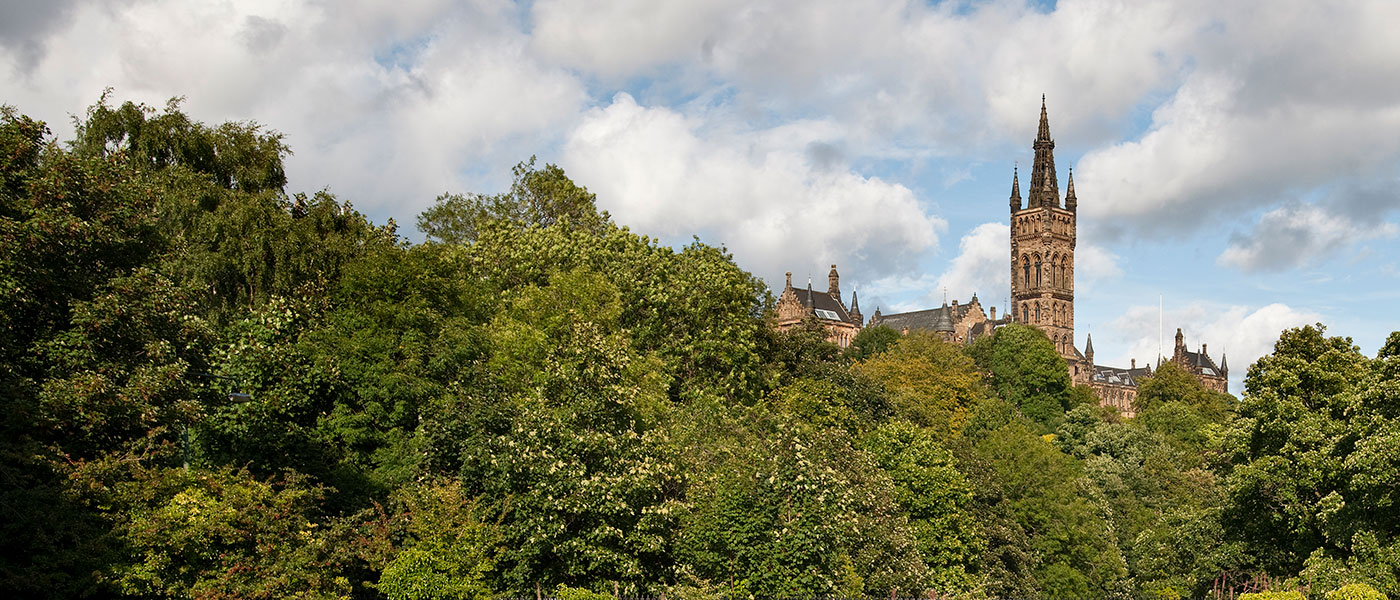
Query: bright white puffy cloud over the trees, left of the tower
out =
(758, 192)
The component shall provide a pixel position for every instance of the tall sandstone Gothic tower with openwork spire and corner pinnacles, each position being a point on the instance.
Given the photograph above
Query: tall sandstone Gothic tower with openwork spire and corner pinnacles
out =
(1042, 248)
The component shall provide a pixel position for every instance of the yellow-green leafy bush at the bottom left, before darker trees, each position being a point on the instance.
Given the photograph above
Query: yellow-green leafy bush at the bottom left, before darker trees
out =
(223, 534)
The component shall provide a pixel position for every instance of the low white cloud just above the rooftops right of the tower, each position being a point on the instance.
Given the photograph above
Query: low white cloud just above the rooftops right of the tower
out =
(1238, 334)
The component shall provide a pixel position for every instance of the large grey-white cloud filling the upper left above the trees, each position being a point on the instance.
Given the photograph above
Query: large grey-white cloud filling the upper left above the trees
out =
(388, 106)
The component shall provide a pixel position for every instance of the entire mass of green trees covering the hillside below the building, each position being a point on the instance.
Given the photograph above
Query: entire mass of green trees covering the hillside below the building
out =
(540, 399)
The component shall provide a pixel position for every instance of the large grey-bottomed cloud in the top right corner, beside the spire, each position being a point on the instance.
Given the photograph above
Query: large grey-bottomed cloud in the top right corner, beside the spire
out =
(1270, 108)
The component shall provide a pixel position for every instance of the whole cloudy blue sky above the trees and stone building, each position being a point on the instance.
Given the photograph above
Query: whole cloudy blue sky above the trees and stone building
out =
(1237, 164)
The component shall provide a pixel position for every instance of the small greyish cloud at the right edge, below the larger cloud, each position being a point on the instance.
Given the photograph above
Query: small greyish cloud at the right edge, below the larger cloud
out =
(1296, 236)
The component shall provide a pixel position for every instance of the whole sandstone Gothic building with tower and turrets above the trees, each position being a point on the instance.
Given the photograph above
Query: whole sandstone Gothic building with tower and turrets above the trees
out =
(1044, 234)
